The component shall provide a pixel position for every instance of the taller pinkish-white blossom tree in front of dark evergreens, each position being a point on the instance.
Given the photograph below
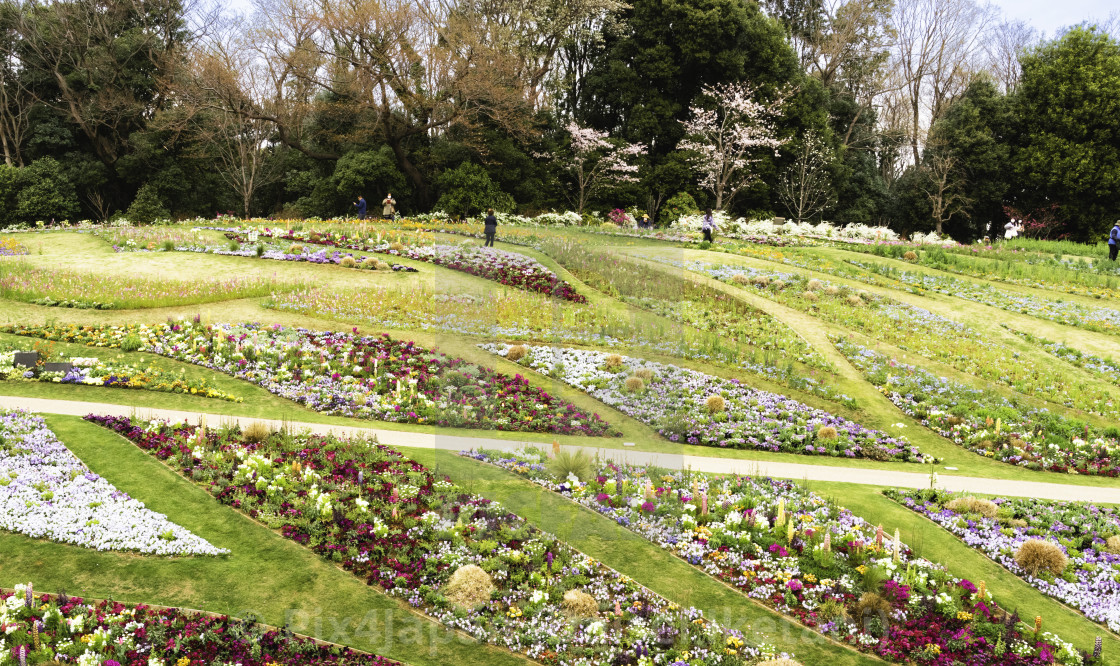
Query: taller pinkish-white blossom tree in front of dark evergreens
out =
(726, 137)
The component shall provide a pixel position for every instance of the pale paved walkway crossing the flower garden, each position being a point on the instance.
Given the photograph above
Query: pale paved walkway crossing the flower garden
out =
(446, 443)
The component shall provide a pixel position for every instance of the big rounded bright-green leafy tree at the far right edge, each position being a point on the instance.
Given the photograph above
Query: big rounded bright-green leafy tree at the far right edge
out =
(1068, 109)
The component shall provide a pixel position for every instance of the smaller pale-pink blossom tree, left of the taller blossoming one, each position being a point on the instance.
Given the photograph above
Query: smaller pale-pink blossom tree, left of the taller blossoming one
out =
(598, 162)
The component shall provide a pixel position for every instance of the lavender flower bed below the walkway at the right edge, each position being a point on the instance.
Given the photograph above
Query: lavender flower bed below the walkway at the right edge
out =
(1081, 531)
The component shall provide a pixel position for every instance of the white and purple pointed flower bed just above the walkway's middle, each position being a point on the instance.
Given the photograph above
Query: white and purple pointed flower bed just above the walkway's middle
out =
(693, 408)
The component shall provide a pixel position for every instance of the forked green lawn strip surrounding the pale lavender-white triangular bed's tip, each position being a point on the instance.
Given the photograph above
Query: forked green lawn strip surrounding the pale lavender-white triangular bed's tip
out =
(274, 578)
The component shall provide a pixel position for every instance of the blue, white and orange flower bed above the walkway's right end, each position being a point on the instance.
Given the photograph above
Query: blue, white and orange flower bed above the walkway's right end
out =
(988, 424)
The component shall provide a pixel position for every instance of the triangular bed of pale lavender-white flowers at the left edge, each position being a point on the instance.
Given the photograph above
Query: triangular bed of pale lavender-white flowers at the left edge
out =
(46, 493)
